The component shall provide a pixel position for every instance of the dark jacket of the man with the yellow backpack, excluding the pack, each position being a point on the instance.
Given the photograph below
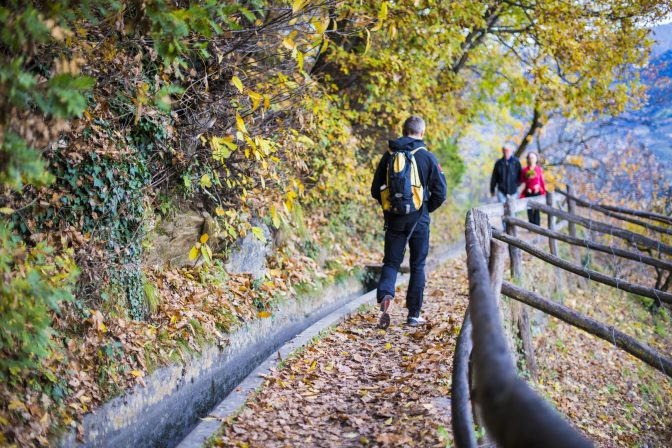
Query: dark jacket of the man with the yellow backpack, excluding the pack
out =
(431, 176)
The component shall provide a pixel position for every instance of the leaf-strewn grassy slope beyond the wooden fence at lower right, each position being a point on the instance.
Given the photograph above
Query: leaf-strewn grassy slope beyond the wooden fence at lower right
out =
(609, 395)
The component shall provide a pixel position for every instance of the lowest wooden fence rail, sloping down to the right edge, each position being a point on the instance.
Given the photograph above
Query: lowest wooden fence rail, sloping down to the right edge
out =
(608, 333)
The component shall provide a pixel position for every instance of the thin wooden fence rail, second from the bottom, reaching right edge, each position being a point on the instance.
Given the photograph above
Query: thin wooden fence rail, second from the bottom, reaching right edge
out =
(583, 272)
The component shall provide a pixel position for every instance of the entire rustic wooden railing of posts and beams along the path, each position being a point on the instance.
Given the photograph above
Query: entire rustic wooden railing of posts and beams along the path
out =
(486, 387)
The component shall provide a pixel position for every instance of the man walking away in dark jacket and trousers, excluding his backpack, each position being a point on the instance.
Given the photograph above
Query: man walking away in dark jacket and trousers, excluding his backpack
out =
(411, 229)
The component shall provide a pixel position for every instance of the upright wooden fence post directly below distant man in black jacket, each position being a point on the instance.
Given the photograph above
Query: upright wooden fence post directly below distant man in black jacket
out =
(519, 315)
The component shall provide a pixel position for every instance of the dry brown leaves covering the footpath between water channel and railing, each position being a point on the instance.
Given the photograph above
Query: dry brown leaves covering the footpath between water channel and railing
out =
(361, 386)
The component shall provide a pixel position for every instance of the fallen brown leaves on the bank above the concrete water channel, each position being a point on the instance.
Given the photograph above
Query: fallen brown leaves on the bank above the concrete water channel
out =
(192, 312)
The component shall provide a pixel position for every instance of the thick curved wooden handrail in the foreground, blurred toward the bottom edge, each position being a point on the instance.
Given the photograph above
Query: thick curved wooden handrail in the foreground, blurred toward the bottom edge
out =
(514, 414)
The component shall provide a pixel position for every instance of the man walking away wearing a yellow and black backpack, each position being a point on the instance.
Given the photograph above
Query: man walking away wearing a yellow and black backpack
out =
(409, 184)
